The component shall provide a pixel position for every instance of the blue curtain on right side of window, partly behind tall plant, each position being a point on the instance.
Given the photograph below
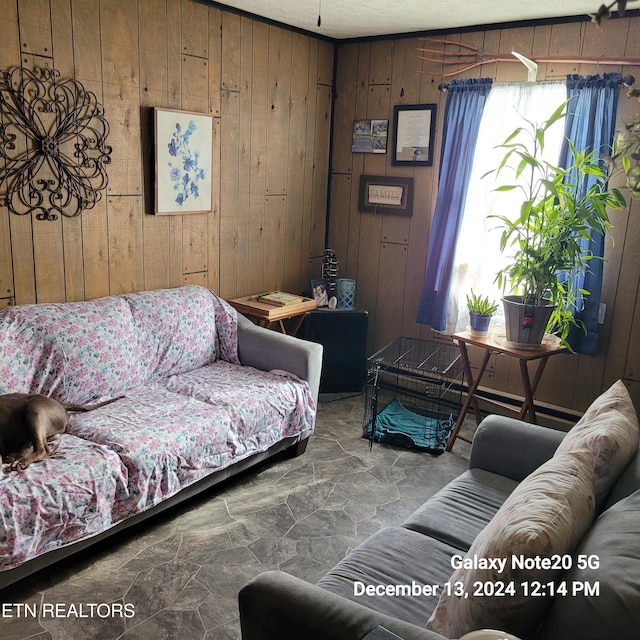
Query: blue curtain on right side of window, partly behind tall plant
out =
(590, 125)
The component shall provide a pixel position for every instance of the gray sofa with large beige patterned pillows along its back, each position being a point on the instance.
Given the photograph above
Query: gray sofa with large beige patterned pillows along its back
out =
(539, 538)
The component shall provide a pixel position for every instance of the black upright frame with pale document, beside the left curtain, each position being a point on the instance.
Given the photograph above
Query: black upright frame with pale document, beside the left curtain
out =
(414, 127)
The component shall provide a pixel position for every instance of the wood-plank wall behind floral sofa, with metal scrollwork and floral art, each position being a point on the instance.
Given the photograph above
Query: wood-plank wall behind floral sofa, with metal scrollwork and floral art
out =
(270, 93)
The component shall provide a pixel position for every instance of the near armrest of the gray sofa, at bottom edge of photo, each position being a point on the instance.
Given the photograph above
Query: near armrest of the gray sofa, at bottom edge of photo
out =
(278, 606)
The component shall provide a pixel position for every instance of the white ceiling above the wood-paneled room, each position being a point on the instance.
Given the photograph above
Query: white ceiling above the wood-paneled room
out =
(341, 19)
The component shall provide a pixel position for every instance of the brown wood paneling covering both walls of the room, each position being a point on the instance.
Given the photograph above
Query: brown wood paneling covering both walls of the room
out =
(271, 92)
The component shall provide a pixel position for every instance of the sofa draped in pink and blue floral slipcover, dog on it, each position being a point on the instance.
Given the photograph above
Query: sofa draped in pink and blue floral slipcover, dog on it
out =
(206, 394)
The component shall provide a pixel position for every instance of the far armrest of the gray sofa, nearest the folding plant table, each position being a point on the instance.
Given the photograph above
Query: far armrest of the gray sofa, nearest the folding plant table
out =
(512, 448)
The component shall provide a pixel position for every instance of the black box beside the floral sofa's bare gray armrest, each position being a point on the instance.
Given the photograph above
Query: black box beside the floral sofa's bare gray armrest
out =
(343, 334)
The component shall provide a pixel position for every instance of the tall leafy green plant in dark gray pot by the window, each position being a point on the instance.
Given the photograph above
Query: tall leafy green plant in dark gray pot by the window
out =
(557, 213)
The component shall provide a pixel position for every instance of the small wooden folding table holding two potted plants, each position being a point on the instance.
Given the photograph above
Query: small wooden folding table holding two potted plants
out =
(498, 344)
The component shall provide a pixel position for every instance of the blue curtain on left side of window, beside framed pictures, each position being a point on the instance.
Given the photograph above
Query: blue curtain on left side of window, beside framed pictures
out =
(463, 112)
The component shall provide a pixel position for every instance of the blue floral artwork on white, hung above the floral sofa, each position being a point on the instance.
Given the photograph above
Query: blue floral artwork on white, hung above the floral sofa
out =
(183, 161)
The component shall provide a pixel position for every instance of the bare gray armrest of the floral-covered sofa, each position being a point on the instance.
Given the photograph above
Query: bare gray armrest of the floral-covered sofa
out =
(266, 350)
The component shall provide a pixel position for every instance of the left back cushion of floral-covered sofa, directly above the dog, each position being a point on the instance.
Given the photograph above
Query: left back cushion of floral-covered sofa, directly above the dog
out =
(78, 351)
